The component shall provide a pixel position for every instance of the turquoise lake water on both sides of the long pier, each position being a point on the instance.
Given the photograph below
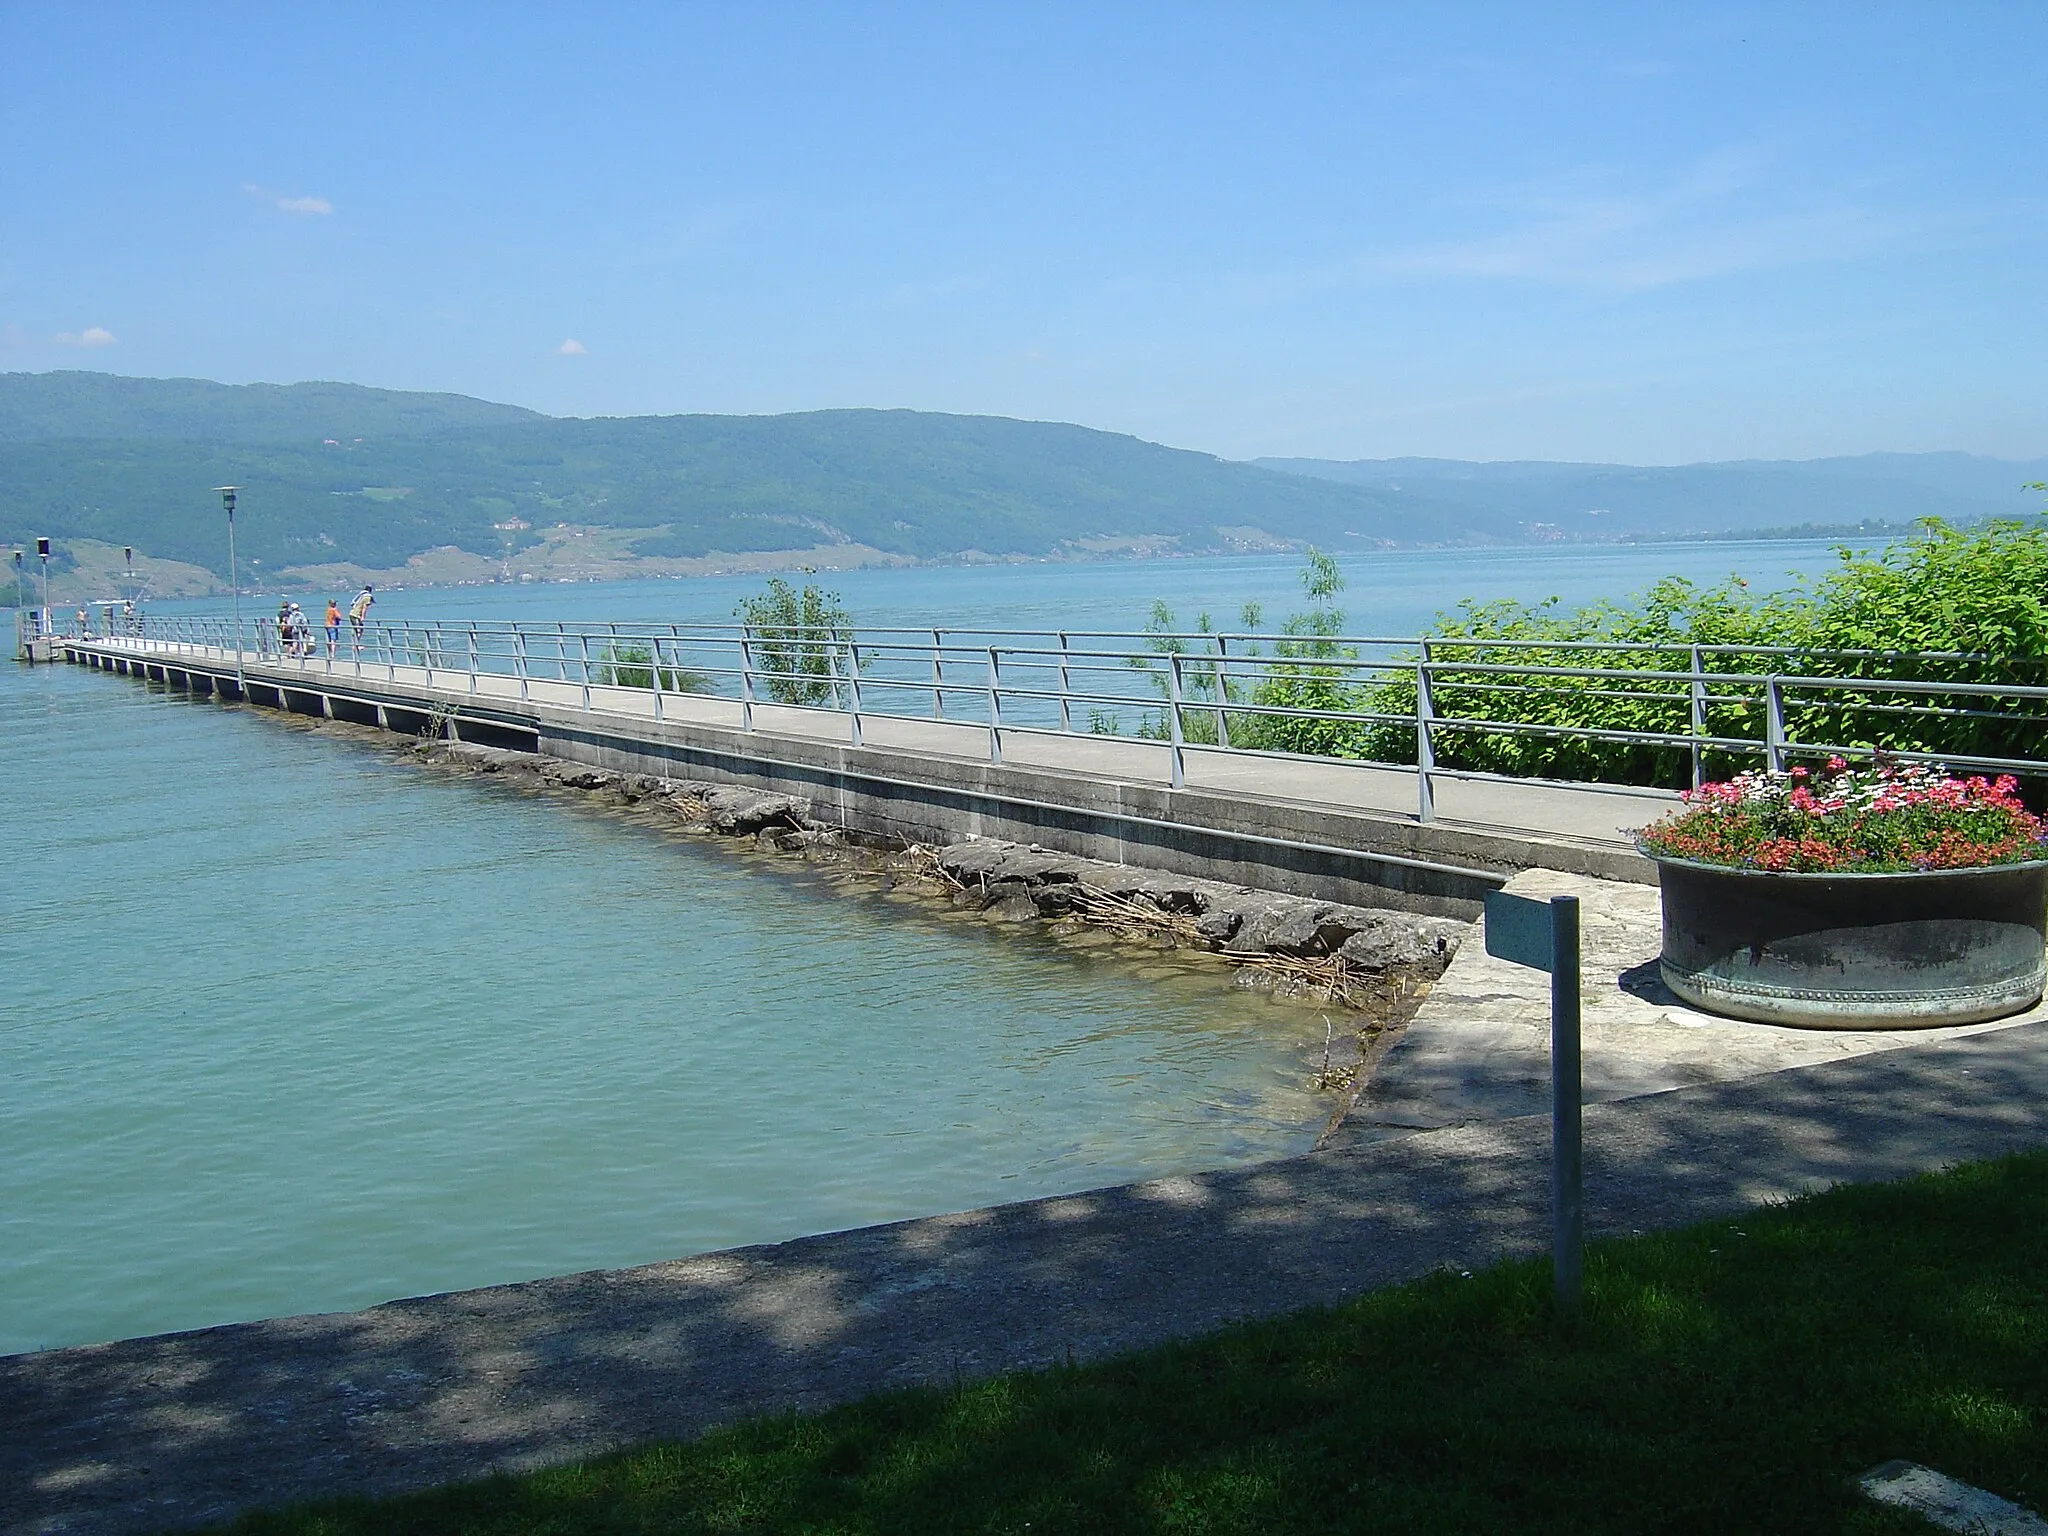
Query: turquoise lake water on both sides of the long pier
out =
(294, 1025)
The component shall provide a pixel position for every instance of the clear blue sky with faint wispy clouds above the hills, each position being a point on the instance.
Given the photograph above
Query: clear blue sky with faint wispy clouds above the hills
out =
(1648, 234)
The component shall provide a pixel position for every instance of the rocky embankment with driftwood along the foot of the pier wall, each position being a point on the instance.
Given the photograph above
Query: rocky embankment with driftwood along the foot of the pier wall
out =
(1351, 953)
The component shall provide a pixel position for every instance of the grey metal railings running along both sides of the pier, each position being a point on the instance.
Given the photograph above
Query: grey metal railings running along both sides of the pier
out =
(1437, 708)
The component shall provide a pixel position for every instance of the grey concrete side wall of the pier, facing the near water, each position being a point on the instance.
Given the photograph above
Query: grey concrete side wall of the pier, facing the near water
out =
(1304, 849)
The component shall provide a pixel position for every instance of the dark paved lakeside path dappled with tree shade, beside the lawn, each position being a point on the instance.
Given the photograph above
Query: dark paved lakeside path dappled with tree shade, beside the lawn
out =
(189, 1428)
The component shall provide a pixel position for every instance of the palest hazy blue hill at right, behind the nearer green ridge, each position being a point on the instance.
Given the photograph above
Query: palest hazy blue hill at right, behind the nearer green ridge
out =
(1566, 501)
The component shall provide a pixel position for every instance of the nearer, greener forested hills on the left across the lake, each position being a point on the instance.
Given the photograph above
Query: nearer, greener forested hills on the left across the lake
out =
(445, 472)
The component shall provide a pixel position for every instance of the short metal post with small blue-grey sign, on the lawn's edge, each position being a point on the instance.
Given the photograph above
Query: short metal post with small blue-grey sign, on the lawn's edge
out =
(1545, 937)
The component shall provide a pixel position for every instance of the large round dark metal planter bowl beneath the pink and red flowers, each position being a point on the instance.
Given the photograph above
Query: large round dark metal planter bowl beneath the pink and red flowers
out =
(1854, 951)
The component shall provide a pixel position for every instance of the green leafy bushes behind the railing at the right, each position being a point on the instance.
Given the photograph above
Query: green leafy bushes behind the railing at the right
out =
(1945, 607)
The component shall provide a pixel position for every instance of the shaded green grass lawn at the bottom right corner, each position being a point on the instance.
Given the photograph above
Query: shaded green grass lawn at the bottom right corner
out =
(1727, 1377)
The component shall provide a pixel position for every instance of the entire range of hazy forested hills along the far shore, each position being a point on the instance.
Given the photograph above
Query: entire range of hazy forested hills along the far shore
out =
(341, 480)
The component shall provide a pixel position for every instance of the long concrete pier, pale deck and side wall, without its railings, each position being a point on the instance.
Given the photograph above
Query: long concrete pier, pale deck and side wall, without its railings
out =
(1338, 830)
